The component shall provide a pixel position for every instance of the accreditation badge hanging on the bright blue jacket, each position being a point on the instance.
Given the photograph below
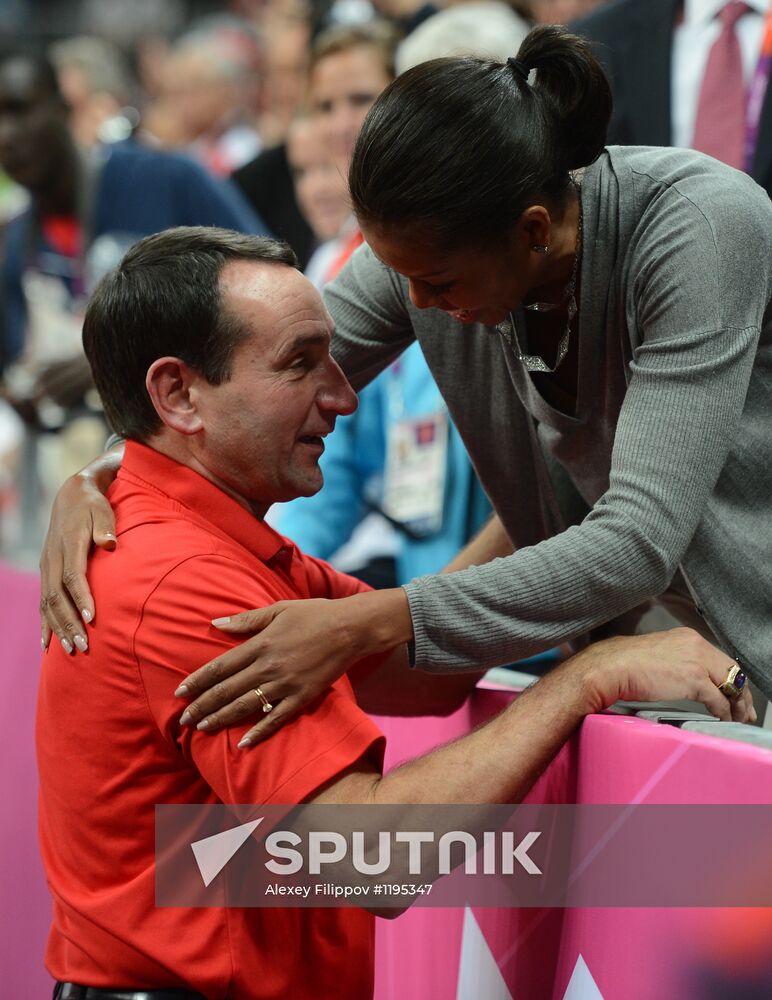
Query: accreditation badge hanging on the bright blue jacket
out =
(416, 466)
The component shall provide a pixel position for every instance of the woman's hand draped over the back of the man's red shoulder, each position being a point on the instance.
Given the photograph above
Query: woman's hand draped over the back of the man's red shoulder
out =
(81, 517)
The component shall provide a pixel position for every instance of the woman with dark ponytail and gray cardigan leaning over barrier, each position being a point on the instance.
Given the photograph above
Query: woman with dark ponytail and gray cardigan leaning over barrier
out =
(598, 321)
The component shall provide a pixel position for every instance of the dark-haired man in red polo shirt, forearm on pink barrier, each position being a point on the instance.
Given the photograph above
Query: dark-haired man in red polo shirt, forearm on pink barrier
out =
(211, 353)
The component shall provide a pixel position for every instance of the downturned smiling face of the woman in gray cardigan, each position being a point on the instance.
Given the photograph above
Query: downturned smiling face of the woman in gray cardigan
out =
(473, 286)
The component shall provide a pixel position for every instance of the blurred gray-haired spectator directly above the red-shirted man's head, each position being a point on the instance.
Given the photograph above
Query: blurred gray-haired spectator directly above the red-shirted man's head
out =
(209, 97)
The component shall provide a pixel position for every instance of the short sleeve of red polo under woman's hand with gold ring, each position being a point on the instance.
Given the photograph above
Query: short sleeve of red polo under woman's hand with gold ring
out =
(174, 637)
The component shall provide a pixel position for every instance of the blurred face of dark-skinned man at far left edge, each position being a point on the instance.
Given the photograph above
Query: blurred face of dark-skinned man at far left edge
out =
(34, 136)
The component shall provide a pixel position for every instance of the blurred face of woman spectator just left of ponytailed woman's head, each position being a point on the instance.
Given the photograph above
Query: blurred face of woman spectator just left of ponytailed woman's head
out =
(342, 88)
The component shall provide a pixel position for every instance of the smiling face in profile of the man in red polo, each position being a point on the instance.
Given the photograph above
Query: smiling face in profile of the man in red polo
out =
(263, 429)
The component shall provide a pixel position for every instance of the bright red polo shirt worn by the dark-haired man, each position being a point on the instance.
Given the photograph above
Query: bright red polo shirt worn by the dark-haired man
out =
(110, 747)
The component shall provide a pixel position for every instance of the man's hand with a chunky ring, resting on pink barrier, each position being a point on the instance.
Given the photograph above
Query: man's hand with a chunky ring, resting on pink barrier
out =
(662, 666)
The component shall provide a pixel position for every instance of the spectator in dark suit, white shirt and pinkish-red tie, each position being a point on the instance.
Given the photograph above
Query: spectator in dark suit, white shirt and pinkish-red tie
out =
(689, 84)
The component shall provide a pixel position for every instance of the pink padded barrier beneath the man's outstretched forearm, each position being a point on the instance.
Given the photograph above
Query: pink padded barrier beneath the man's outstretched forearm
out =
(577, 954)
